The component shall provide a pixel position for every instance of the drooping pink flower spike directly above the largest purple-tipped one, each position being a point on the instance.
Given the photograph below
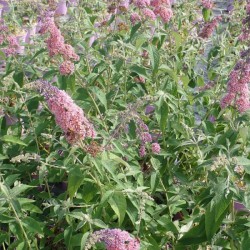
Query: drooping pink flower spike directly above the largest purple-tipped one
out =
(57, 46)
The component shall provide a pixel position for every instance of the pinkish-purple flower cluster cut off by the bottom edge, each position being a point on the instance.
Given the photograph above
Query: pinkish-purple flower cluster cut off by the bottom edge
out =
(114, 239)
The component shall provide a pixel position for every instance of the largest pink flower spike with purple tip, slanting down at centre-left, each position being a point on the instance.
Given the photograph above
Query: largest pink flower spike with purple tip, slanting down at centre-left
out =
(68, 115)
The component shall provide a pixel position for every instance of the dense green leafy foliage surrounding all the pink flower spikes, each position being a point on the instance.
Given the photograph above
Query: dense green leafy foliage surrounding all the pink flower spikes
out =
(54, 195)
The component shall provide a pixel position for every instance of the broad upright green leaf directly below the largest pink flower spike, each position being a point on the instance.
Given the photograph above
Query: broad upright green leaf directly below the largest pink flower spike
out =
(74, 181)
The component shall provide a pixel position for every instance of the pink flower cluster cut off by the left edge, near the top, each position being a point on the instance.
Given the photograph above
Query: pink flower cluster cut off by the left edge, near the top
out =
(10, 41)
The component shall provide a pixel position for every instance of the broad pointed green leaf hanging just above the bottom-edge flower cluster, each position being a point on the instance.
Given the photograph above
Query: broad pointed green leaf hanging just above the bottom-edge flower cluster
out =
(119, 205)
